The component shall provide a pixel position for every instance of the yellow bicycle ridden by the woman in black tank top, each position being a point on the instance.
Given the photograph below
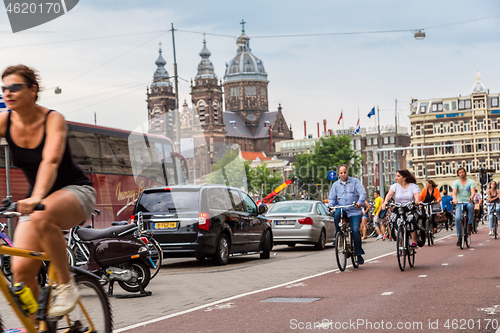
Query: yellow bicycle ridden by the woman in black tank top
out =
(92, 313)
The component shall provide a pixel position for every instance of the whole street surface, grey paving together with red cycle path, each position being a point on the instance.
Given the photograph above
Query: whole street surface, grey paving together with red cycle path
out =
(188, 290)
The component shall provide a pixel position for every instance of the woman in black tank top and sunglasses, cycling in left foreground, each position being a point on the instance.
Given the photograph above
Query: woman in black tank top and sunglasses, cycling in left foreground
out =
(37, 138)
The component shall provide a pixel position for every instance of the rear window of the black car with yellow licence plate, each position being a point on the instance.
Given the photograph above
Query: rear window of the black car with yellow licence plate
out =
(170, 200)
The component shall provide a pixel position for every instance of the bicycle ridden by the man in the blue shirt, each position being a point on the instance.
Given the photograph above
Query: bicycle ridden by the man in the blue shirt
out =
(344, 242)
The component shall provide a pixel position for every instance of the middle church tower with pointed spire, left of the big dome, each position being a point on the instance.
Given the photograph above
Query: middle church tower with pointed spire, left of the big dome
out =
(206, 97)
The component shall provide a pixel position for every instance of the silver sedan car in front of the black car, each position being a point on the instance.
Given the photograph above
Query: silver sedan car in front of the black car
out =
(301, 221)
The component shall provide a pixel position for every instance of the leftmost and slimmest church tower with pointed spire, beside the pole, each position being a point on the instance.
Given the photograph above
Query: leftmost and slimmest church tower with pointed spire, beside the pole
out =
(161, 101)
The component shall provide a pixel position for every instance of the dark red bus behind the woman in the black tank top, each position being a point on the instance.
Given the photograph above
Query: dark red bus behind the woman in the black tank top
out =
(120, 163)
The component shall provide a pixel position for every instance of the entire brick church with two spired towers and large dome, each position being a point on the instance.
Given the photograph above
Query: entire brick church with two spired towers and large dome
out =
(243, 93)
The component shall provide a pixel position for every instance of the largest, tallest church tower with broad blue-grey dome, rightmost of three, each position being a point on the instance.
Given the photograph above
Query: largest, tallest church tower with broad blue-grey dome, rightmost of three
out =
(245, 84)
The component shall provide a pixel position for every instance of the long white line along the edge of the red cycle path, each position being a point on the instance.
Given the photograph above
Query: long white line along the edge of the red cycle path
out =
(196, 308)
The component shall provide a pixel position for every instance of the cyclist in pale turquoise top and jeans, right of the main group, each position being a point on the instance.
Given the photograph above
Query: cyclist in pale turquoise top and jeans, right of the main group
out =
(464, 190)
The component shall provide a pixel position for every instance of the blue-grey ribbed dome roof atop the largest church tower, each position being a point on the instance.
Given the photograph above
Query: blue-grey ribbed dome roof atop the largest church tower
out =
(245, 65)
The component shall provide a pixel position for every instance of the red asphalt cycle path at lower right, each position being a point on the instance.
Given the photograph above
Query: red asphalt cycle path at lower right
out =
(448, 290)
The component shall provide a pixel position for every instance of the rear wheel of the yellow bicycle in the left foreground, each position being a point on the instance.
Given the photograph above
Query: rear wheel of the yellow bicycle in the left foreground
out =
(92, 314)
